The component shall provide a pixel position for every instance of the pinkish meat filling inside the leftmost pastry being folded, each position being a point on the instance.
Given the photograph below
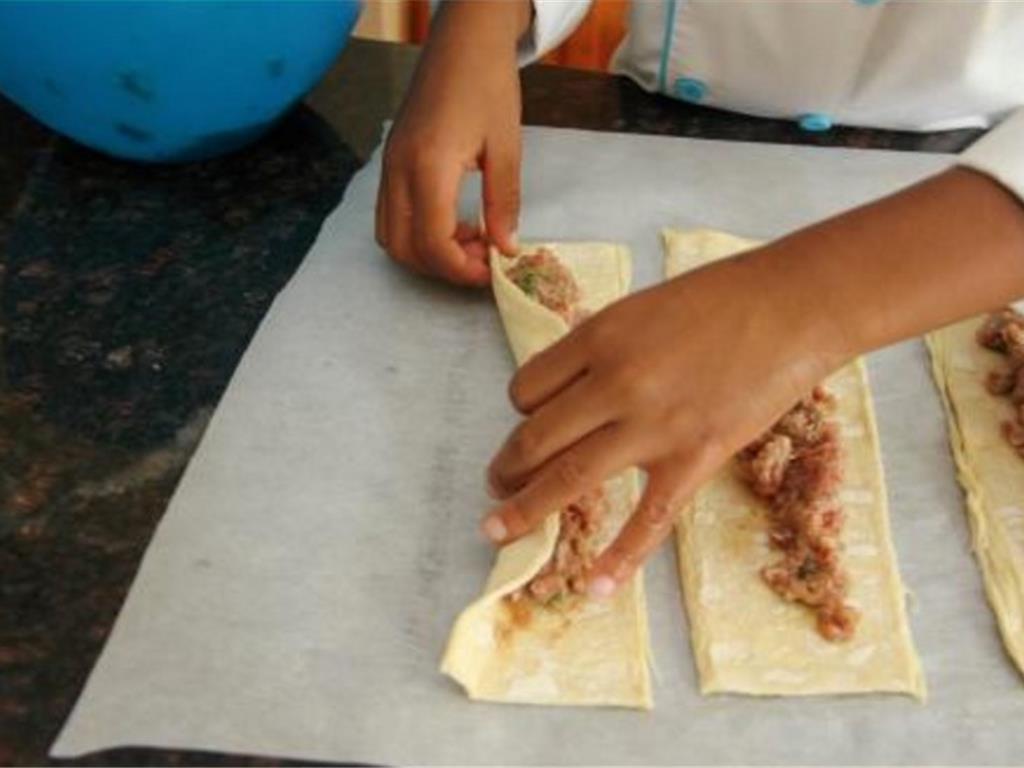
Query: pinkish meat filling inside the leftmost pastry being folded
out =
(543, 278)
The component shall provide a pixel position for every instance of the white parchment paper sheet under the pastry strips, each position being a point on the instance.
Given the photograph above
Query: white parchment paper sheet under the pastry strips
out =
(298, 593)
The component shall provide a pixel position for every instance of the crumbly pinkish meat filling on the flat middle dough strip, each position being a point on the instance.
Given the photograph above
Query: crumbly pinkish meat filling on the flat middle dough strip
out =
(796, 470)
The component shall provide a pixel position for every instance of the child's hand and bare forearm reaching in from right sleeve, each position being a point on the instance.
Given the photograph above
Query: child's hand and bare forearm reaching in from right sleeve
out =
(678, 378)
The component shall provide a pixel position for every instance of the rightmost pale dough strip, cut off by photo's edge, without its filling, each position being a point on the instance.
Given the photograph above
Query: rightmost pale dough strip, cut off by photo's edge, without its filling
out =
(989, 470)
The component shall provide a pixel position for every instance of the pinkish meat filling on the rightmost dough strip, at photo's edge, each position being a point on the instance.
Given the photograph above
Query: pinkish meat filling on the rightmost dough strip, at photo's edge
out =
(1003, 332)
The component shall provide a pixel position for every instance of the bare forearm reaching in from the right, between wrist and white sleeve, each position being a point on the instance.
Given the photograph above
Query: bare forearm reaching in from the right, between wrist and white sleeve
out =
(943, 250)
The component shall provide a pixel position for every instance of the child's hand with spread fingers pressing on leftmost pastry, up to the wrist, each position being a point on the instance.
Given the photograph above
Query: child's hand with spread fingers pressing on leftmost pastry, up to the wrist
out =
(674, 380)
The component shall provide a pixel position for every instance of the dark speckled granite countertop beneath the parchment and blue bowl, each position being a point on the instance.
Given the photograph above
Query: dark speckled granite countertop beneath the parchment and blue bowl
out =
(127, 296)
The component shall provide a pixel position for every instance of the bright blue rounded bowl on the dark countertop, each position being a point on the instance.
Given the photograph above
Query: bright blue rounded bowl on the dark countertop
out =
(168, 80)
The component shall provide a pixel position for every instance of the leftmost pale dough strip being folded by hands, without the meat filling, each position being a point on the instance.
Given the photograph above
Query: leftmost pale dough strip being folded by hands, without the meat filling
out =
(584, 652)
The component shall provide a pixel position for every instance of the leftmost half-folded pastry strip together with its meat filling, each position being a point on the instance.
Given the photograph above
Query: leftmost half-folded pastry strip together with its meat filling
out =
(535, 636)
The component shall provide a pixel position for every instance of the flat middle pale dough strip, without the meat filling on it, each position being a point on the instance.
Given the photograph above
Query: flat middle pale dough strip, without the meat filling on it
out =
(746, 638)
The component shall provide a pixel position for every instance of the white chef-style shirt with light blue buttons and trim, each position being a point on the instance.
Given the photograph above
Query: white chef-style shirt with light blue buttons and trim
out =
(907, 65)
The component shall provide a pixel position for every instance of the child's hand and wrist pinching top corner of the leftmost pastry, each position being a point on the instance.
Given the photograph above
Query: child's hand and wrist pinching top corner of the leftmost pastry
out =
(462, 113)
